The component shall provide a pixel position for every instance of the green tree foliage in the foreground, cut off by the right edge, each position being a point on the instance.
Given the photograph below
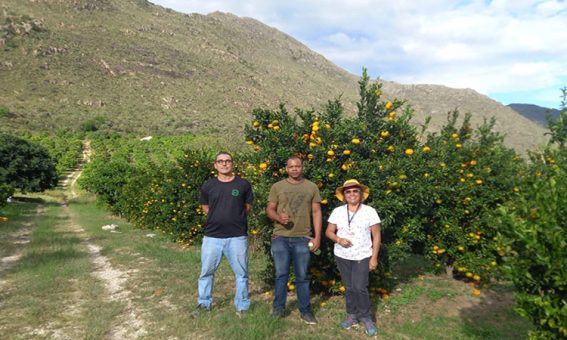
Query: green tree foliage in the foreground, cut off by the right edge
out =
(534, 230)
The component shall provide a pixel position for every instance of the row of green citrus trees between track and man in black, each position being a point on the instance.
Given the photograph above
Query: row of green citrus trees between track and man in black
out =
(154, 184)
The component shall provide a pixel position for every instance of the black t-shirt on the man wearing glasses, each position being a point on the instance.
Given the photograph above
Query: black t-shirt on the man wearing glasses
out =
(227, 207)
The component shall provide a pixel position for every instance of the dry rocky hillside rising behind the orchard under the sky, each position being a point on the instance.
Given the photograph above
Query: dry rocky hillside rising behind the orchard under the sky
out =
(132, 66)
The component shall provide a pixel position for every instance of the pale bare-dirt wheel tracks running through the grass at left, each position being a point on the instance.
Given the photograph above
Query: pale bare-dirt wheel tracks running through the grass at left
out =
(128, 324)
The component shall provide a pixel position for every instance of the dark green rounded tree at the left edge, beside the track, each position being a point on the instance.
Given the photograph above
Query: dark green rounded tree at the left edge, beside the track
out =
(25, 166)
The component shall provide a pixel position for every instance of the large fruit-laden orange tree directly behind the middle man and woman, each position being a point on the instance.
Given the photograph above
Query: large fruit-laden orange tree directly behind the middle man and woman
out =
(434, 193)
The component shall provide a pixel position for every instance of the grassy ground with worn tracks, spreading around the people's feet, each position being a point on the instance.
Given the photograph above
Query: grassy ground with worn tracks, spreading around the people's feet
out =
(52, 292)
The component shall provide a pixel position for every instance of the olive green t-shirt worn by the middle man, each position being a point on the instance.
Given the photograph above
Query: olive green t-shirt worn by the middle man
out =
(295, 200)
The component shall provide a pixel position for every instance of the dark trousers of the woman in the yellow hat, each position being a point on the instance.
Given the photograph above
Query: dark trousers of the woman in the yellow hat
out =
(354, 275)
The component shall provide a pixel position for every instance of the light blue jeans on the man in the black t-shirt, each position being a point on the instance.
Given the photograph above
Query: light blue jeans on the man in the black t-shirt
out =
(235, 249)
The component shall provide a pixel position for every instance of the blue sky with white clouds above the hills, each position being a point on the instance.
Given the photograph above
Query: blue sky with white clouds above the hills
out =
(512, 51)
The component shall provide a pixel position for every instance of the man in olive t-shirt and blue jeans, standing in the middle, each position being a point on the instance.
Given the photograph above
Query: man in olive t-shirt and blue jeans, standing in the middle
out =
(294, 206)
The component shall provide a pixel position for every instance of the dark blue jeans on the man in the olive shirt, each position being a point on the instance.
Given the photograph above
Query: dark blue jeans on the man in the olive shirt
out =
(286, 250)
